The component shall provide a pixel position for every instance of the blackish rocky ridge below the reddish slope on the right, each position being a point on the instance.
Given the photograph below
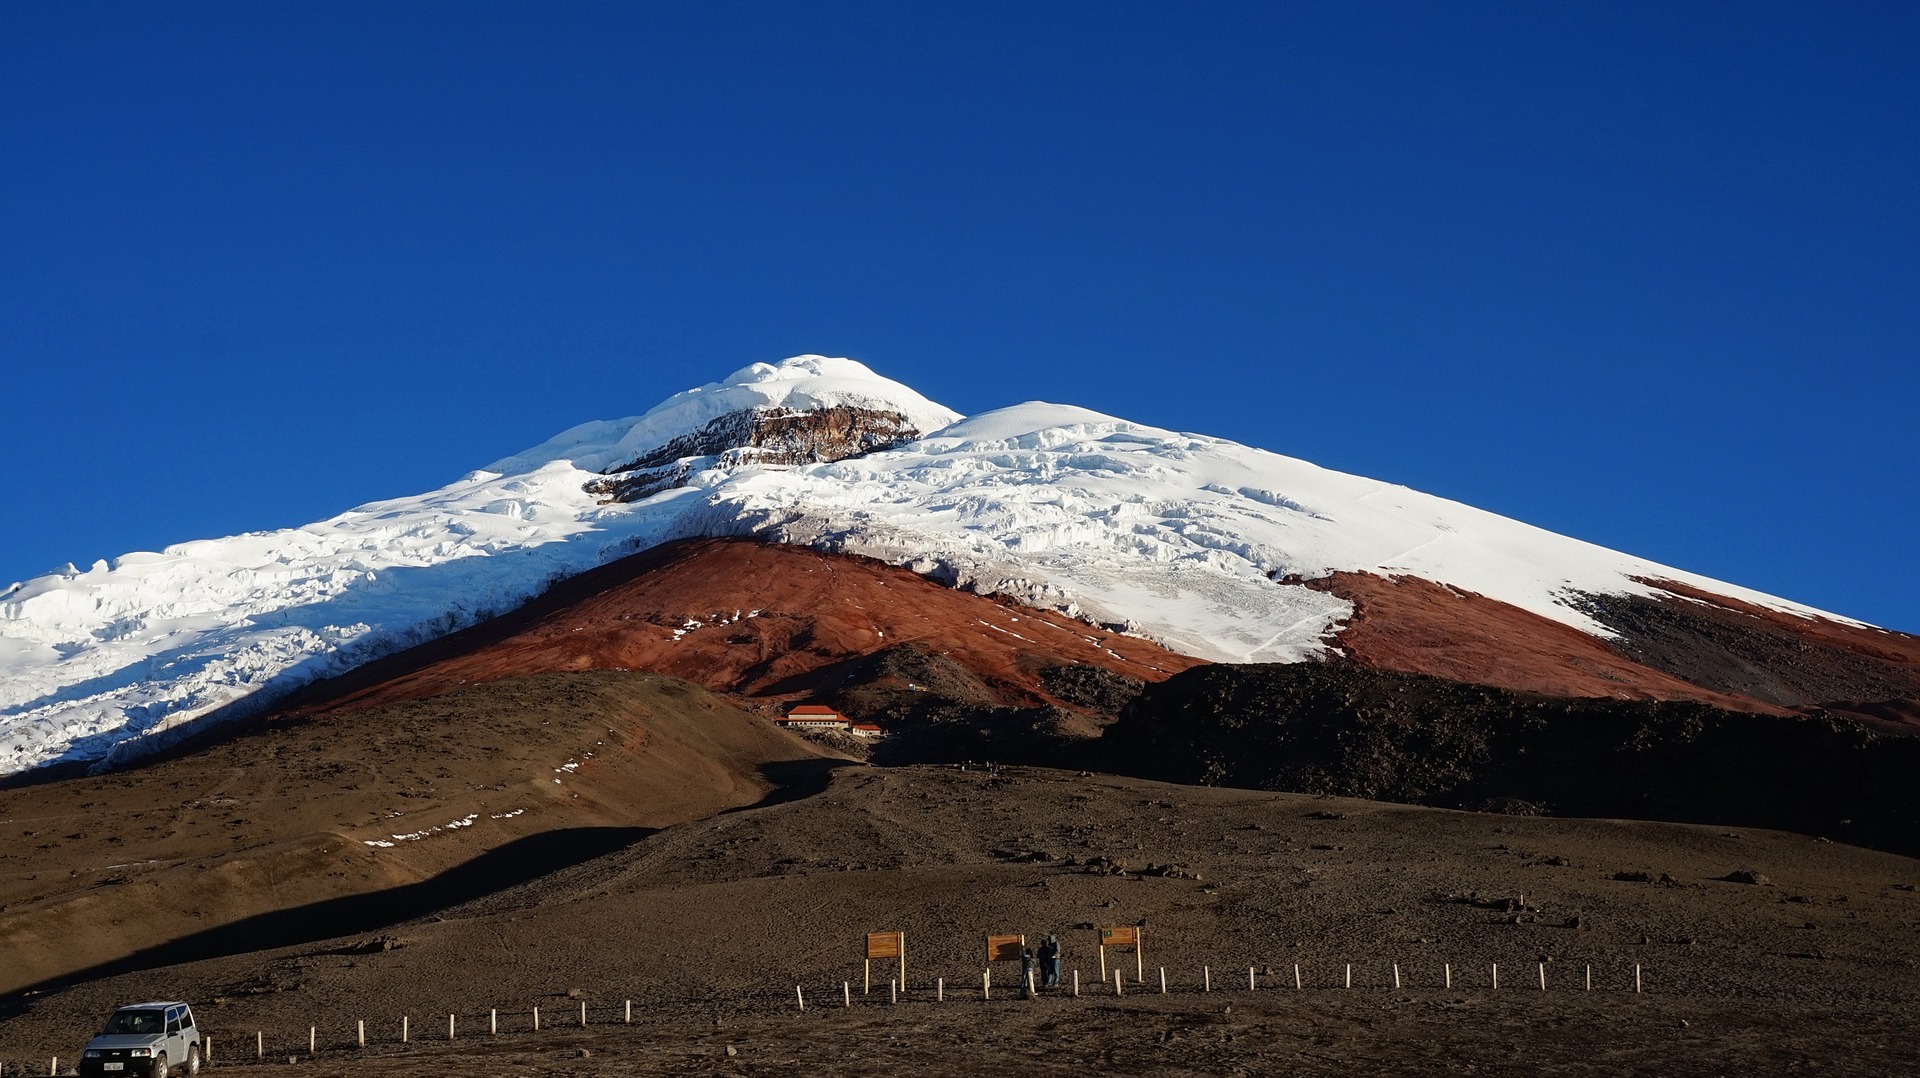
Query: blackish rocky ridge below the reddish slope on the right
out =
(1349, 731)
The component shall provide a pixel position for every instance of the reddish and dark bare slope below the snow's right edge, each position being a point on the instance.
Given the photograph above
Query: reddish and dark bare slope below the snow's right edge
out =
(1696, 647)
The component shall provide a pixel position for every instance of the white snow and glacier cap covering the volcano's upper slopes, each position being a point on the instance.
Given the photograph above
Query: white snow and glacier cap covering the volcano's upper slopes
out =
(1174, 537)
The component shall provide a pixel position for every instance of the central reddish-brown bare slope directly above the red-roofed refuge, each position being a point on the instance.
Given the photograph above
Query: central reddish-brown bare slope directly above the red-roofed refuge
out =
(746, 618)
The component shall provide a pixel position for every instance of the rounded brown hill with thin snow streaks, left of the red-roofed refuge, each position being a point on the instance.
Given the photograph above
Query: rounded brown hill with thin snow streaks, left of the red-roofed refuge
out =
(498, 783)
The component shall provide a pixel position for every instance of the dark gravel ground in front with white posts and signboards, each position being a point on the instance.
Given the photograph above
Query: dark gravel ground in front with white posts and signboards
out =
(709, 927)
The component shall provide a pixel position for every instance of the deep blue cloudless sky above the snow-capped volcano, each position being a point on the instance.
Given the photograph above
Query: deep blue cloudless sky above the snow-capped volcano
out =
(1648, 276)
